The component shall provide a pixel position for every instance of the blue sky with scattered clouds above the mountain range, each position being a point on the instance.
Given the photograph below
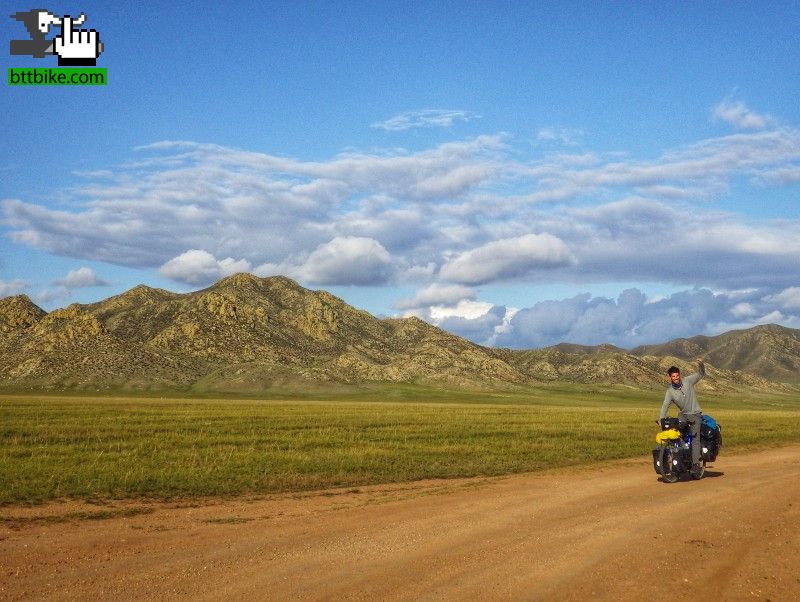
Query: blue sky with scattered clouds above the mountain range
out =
(518, 173)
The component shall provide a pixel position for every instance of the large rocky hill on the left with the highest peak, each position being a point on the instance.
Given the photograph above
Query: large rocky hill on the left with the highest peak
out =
(242, 334)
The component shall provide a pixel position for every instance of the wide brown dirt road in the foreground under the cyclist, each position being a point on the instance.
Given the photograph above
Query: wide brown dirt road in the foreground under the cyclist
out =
(610, 533)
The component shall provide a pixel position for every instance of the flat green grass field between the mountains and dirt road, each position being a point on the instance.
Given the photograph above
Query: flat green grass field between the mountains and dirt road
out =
(111, 448)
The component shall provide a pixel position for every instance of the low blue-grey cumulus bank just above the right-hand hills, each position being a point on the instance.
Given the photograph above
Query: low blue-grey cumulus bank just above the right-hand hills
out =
(630, 320)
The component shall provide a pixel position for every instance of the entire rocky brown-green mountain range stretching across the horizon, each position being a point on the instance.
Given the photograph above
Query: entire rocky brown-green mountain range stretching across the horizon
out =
(252, 335)
